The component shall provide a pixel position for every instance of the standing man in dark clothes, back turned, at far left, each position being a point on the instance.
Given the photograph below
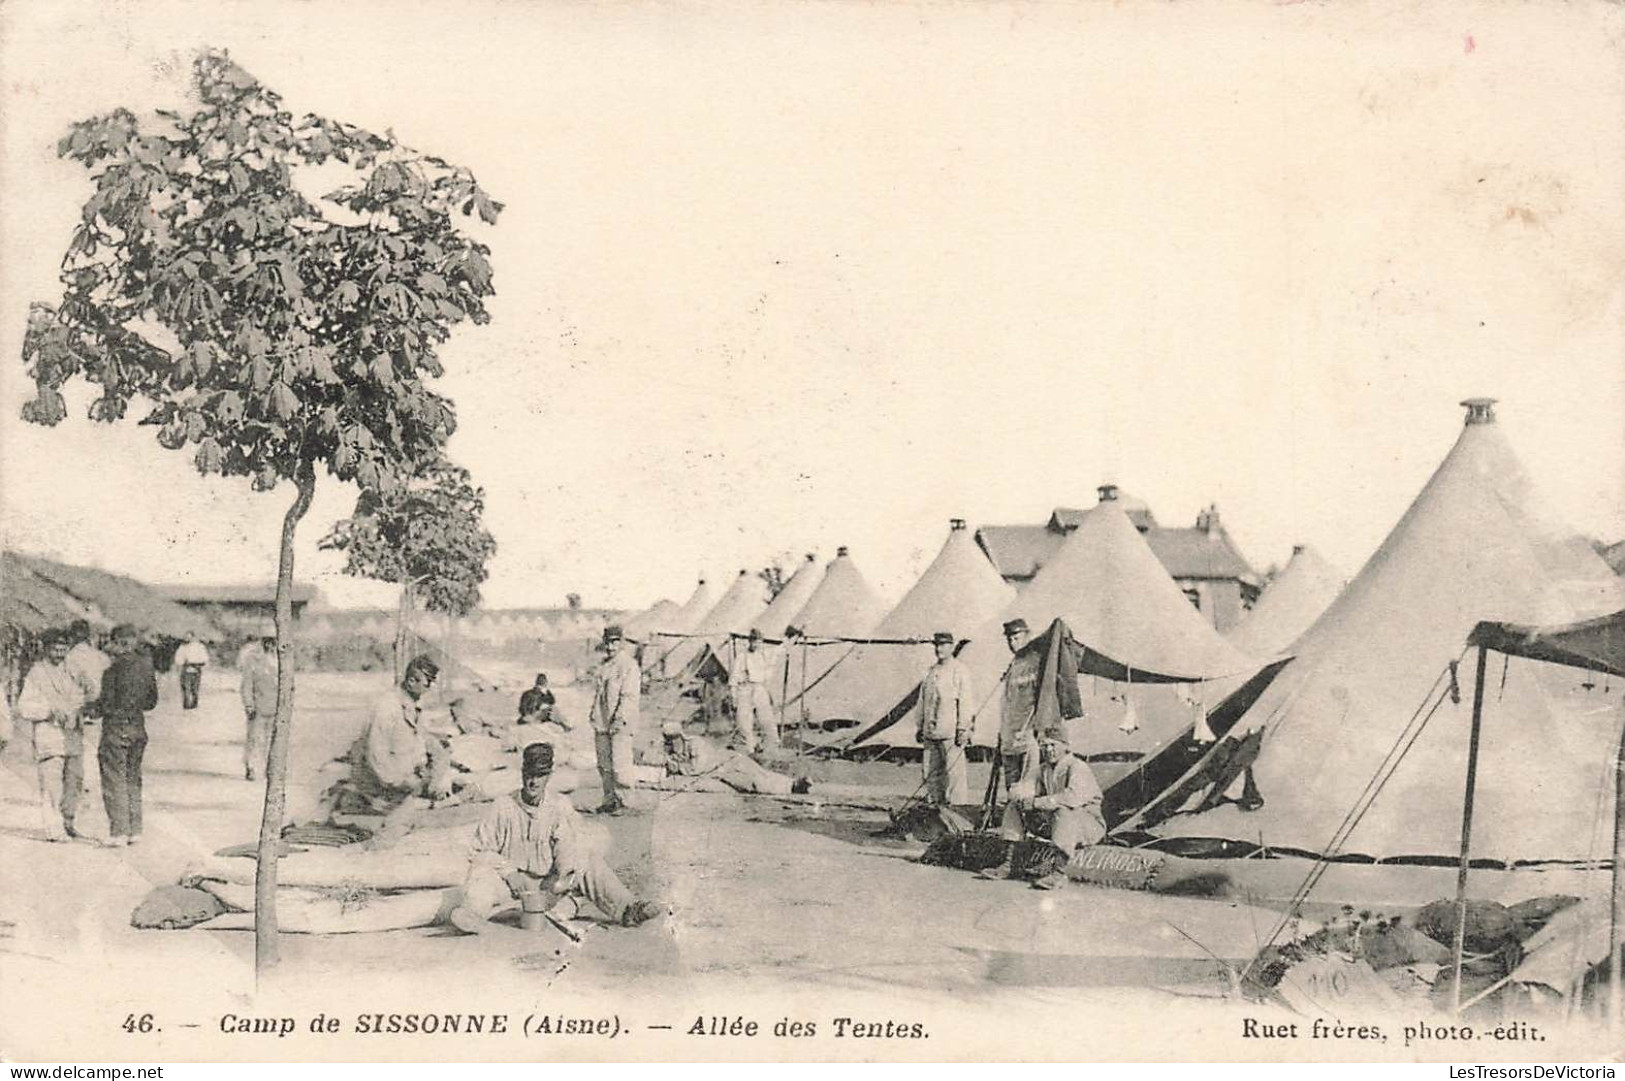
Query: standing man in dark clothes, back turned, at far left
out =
(129, 690)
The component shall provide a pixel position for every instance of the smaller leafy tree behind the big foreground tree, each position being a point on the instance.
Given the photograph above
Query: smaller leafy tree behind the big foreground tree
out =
(425, 537)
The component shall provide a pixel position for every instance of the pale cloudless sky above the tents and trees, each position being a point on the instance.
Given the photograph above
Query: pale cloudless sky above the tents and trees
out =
(781, 277)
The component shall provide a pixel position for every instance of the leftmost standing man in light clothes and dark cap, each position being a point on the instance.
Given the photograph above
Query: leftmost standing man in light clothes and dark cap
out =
(51, 705)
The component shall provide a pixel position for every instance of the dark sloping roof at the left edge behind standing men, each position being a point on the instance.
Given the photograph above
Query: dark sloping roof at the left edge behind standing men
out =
(38, 593)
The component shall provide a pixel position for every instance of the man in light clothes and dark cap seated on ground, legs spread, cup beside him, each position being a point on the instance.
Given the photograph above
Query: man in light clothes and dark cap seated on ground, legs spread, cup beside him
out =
(532, 843)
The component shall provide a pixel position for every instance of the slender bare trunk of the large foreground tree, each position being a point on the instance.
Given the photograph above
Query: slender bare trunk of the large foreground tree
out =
(266, 953)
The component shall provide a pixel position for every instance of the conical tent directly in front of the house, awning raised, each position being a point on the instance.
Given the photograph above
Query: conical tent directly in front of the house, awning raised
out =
(1122, 606)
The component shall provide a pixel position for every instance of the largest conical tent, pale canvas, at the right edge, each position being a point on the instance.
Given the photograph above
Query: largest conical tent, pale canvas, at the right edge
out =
(1374, 698)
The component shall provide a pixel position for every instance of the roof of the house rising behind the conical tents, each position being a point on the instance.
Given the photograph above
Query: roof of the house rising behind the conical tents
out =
(1187, 554)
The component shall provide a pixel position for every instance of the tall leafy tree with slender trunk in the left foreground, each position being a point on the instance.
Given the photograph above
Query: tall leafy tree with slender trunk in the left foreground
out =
(267, 332)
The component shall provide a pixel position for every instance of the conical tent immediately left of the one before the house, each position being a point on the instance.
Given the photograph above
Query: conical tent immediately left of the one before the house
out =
(958, 593)
